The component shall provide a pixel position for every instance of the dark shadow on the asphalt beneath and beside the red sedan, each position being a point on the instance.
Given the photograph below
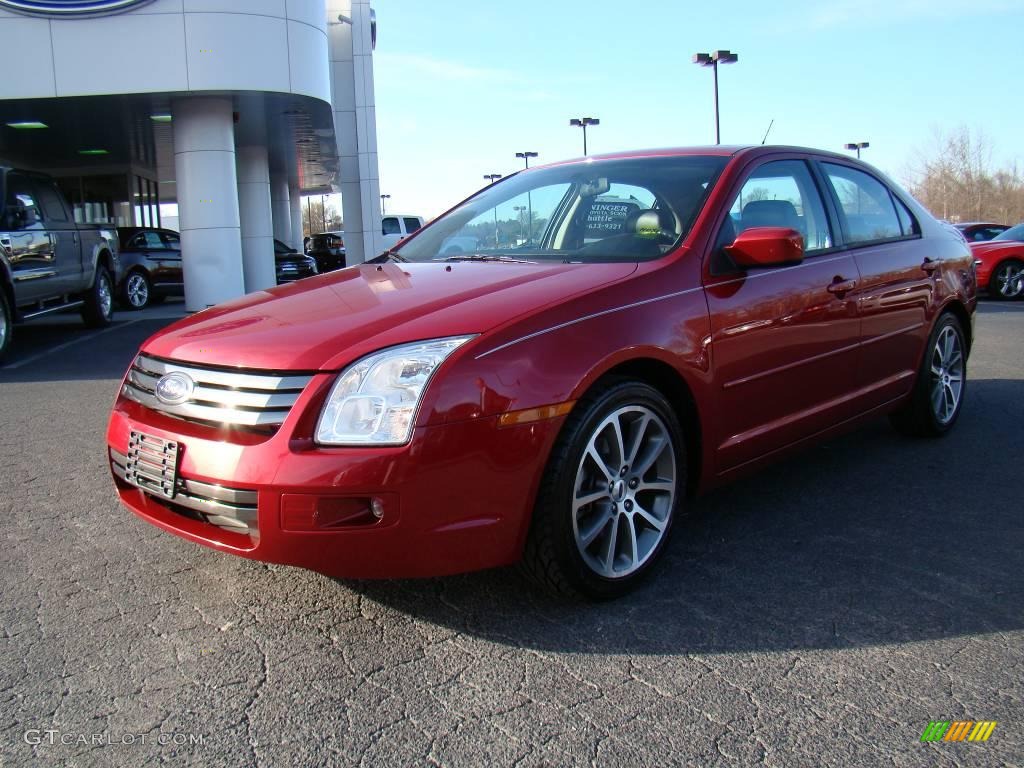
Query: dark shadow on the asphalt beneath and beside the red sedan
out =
(871, 539)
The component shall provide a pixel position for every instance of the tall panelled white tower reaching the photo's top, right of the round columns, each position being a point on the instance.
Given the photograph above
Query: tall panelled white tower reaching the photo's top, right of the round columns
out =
(356, 126)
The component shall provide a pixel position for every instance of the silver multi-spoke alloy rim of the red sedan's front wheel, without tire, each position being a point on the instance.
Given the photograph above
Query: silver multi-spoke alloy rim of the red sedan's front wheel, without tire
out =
(624, 493)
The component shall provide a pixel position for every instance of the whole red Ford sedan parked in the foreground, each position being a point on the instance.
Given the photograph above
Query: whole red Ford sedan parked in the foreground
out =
(557, 399)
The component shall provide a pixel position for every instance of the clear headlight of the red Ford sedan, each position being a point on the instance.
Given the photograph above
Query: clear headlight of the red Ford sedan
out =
(376, 400)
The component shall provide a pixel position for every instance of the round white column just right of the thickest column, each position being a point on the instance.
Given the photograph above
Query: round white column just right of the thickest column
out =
(254, 216)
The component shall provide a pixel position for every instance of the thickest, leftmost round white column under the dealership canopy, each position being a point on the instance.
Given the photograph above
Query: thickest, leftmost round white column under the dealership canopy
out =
(208, 201)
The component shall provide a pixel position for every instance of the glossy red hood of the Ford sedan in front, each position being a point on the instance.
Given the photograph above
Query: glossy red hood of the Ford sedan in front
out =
(324, 323)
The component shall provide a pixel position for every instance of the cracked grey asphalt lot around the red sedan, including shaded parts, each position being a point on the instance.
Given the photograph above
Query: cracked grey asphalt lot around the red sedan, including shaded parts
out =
(820, 614)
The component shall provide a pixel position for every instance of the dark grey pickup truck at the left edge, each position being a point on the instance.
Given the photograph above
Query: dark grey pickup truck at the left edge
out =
(49, 263)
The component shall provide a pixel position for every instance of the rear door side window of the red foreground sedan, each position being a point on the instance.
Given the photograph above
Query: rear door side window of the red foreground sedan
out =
(867, 206)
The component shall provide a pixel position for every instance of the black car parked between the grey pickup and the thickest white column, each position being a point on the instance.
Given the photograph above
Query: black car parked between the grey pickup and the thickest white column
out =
(151, 267)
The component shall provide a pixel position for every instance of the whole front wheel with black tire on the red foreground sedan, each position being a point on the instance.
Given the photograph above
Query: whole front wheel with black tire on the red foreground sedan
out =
(585, 510)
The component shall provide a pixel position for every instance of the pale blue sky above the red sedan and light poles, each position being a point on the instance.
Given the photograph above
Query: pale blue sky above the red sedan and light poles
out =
(462, 86)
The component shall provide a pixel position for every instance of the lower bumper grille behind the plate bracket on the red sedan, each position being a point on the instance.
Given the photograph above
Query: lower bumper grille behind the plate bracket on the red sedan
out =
(232, 509)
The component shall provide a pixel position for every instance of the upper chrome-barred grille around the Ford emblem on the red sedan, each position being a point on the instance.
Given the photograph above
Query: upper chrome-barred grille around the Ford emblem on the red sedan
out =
(221, 397)
